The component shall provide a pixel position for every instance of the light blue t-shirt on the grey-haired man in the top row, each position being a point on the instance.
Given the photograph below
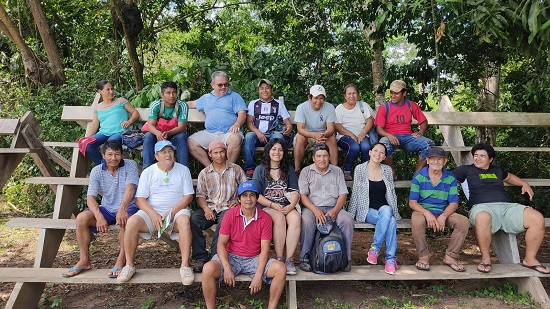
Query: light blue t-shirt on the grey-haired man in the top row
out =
(221, 112)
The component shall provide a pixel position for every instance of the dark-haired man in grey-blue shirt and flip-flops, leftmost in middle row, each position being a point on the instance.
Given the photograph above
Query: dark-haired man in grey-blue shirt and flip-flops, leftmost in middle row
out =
(116, 179)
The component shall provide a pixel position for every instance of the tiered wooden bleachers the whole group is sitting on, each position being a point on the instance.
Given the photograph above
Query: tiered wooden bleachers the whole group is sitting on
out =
(27, 292)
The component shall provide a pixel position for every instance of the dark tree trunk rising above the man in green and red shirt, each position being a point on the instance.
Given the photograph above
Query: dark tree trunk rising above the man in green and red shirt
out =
(130, 20)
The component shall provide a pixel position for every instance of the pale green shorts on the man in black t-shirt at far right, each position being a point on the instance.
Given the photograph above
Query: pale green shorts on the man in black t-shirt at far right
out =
(504, 216)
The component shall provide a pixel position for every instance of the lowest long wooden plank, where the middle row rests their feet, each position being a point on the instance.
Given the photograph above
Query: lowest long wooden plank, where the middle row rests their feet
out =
(357, 273)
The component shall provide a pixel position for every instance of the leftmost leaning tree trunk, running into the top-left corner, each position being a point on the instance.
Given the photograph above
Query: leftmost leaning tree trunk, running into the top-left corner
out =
(35, 69)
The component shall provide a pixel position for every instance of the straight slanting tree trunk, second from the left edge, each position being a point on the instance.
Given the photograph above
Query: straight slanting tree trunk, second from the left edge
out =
(49, 43)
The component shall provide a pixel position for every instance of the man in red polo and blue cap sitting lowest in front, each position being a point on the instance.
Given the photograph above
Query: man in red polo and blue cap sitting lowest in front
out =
(243, 248)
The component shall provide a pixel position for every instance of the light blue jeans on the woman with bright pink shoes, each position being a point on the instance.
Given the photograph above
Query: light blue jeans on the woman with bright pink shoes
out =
(386, 227)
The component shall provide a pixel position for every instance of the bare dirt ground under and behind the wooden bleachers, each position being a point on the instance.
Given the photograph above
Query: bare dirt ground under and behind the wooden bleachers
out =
(17, 249)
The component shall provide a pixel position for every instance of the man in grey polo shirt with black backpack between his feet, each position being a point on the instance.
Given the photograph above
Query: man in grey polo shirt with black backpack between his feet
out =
(323, 194)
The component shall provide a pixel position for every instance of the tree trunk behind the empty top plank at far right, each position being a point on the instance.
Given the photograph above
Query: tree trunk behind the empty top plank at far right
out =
(487, 102)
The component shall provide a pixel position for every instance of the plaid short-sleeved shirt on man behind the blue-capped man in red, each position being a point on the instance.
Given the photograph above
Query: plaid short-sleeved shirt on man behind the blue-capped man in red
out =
(220, 189)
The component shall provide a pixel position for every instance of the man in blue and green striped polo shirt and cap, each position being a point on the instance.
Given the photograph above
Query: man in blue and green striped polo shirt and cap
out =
(434, 200)
